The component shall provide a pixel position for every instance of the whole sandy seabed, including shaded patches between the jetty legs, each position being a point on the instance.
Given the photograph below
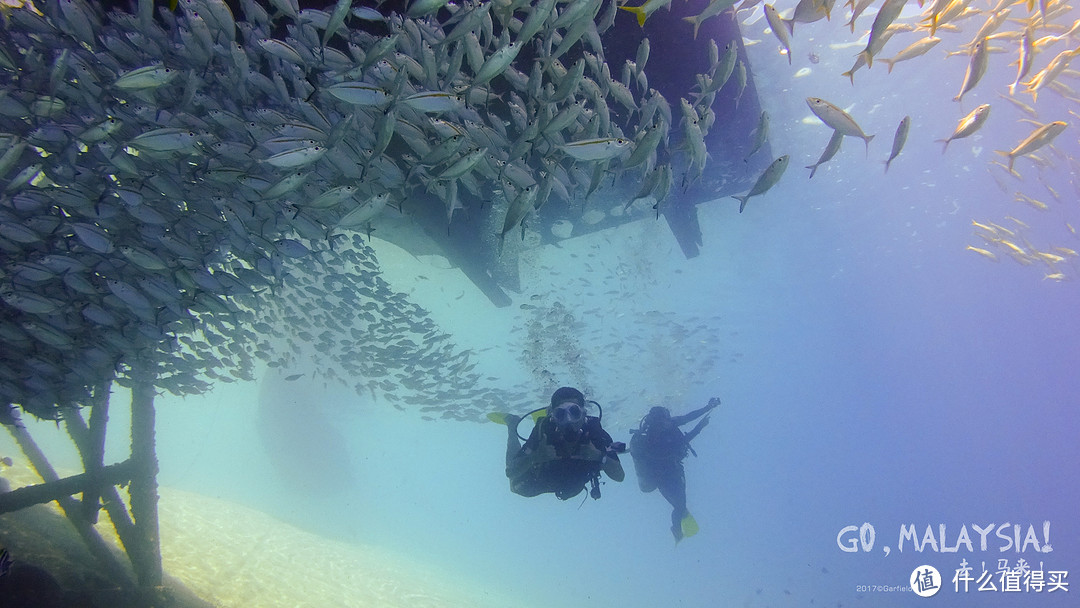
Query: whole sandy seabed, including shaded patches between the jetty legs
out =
(228, 555)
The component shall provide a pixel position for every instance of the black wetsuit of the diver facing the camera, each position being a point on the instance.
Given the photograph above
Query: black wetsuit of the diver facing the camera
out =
(559, 464)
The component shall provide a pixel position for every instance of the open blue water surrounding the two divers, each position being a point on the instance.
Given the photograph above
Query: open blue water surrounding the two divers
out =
(872, 371)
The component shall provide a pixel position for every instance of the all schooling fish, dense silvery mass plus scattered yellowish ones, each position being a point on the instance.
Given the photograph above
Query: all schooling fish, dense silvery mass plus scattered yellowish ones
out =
(183, 186)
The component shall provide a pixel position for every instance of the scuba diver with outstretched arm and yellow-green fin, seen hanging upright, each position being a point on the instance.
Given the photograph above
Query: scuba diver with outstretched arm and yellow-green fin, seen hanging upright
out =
(658, 448)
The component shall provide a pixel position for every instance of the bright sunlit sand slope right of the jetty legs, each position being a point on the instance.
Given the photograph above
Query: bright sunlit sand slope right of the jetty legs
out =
(233, 556)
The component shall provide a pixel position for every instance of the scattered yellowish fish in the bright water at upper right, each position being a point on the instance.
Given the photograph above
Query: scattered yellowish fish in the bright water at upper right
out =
(1042, 38)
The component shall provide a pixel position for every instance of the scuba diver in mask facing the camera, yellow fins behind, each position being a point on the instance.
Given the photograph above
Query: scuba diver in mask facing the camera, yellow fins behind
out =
(566, 451)
